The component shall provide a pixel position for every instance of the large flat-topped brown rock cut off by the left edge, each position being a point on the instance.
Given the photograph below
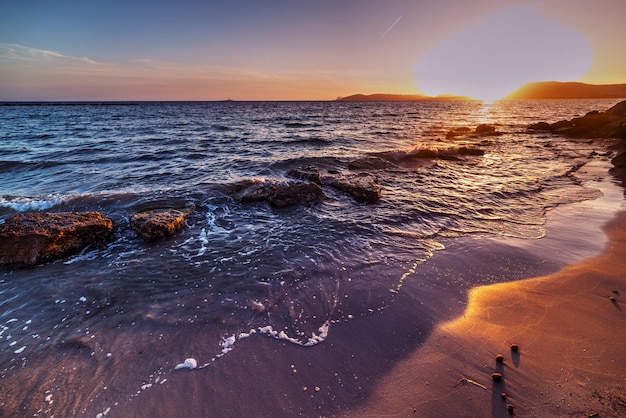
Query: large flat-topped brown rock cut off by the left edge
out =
(44, 236)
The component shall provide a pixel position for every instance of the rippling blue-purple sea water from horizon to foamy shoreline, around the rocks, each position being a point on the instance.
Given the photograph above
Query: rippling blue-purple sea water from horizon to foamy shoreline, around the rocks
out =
(238, 268)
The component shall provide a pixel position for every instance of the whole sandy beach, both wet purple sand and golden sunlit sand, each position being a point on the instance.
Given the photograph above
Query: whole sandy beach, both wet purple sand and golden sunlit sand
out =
(410, 359)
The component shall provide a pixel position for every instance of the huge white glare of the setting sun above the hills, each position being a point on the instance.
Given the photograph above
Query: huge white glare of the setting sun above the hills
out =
(500, 53)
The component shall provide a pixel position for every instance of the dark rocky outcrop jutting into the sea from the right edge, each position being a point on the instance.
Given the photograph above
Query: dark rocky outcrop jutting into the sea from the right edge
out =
(608, 124)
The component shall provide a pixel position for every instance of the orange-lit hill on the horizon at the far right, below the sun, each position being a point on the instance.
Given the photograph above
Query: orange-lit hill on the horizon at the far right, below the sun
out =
(569, 90)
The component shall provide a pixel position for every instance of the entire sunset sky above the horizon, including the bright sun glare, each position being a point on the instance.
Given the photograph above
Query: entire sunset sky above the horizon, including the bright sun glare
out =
(302, 50)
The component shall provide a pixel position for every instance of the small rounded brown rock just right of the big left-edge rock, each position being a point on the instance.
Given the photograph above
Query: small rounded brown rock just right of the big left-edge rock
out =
(157, 224)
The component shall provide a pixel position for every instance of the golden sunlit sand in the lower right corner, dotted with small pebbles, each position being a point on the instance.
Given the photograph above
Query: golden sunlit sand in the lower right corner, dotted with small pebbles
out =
(569, 325)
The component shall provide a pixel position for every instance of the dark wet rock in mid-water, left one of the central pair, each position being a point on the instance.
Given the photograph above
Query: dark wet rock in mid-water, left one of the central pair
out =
(281, 194)
